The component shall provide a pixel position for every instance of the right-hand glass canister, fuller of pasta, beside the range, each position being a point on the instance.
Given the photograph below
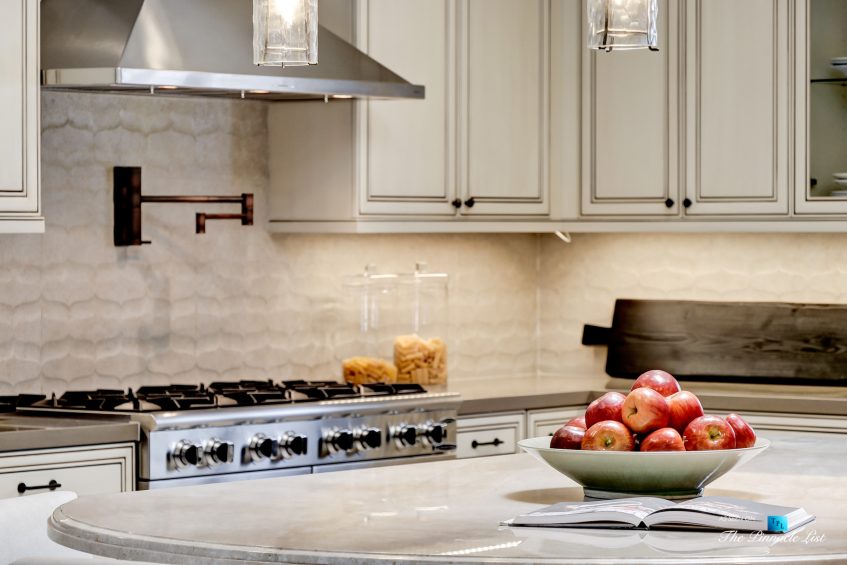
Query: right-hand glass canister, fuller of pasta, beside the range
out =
(420, 349)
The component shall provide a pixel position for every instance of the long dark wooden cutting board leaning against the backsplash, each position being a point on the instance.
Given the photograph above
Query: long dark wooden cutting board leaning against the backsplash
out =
(727, 341)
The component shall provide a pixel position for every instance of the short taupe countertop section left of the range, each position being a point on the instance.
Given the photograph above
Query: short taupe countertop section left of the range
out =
(24, 432)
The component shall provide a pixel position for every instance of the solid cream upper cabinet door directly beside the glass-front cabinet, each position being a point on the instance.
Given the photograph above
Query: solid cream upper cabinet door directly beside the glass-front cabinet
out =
(738, 111)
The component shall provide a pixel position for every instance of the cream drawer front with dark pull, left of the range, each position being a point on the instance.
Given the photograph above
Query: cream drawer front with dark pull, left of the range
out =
(81, 479)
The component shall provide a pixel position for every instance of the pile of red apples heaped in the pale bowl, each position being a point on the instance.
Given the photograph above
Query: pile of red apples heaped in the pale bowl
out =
(656, 415)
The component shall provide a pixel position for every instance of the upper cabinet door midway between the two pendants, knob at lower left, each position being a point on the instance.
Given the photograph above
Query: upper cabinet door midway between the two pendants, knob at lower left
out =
(504, 115)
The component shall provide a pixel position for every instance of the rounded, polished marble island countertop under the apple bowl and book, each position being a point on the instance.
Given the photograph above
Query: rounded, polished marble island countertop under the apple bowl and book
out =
(449, 512)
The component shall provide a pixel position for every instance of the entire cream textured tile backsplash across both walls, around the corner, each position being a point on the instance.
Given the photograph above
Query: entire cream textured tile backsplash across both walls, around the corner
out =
(239, 303)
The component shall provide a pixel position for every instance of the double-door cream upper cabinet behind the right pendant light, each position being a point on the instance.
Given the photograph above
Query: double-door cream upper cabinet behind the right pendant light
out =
(701, 128)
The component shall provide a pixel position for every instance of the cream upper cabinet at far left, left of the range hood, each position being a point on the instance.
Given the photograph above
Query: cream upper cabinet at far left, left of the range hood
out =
(20, 208)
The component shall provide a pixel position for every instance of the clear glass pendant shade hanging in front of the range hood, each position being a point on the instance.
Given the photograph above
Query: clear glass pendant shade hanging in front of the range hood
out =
(285, 32)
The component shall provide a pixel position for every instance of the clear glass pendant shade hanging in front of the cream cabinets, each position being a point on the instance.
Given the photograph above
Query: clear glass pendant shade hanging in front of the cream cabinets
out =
(623, 24)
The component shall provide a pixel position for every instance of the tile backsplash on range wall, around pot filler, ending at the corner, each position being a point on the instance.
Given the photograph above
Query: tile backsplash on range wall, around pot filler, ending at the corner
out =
(236, 303)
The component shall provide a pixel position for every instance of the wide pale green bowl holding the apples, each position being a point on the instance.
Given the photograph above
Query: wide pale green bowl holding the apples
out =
(615, 474)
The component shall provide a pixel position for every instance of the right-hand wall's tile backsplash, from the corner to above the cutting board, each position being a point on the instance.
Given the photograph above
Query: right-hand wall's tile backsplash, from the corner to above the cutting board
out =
(579, 282)
